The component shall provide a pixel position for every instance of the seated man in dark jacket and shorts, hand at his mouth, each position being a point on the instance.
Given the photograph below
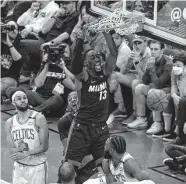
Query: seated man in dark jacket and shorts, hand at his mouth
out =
(157, 75)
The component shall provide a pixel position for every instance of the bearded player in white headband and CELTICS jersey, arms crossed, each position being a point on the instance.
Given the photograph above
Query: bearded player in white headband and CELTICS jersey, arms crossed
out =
(27, 136)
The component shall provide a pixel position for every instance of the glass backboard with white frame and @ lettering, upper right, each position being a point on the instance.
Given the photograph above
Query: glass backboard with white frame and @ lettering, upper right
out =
(164, 20)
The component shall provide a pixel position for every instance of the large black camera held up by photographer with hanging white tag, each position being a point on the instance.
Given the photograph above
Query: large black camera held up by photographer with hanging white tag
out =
(55, 52)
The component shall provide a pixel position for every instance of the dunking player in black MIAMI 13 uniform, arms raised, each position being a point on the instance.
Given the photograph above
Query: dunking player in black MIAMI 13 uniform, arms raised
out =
(91, 131)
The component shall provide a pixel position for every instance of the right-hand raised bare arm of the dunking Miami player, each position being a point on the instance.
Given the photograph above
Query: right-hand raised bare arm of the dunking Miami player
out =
(112, 58)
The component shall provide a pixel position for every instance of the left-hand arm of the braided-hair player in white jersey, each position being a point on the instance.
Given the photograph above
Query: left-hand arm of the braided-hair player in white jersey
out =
(108, 175)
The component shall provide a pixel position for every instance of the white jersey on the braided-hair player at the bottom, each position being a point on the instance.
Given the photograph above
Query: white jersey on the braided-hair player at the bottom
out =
(119, 173)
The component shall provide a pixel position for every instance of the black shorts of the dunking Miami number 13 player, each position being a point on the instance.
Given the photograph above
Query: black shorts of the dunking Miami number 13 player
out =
(86, 140)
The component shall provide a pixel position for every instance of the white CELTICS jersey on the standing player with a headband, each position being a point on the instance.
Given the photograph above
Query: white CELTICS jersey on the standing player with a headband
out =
(27, 136)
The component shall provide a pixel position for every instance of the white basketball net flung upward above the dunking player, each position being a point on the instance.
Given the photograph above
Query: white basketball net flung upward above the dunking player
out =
(122, 24)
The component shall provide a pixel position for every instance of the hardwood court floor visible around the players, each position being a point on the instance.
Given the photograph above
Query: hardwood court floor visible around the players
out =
(147, 151)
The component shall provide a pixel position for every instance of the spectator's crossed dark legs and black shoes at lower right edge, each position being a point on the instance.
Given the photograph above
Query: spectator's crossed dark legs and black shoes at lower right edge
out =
(177, 160)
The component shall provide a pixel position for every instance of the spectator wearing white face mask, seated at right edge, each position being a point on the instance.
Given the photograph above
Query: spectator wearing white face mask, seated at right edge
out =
(178, 94)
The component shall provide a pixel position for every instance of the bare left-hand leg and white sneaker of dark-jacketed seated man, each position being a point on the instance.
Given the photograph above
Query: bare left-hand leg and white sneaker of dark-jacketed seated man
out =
(141, 92)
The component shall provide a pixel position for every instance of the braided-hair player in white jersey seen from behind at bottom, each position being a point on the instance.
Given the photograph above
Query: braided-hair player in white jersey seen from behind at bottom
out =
(119, 166)
